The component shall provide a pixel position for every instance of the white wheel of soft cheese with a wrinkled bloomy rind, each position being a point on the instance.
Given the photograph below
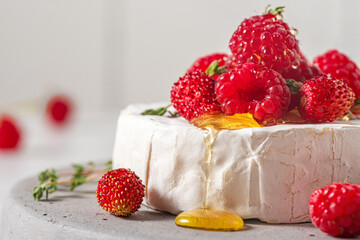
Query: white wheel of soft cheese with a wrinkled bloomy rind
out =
(266, 173)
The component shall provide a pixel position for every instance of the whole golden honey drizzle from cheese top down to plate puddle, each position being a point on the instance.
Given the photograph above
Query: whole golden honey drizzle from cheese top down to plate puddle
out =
(206, 218)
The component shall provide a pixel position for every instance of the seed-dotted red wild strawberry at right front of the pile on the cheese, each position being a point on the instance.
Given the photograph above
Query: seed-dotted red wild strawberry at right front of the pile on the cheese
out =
(324, 99)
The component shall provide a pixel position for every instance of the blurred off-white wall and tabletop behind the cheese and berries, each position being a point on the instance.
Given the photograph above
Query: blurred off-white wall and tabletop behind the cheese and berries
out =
(108, 54)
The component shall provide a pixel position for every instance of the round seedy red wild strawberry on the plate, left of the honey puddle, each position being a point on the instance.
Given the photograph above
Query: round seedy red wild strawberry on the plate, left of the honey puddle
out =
(120, 192)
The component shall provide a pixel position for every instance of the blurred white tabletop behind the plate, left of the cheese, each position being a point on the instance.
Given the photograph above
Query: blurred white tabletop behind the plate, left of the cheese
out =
(89, 137)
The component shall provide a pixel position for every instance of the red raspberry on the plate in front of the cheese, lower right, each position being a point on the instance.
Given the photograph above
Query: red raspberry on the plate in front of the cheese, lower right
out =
(335, 209)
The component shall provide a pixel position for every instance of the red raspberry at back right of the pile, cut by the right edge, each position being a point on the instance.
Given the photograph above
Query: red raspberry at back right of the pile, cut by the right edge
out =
(338, 65)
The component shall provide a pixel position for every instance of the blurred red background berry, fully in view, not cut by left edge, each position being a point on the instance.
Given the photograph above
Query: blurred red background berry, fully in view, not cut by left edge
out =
(59, 109)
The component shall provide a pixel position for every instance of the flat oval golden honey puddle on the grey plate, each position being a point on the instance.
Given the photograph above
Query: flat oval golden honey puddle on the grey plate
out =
(209, 219)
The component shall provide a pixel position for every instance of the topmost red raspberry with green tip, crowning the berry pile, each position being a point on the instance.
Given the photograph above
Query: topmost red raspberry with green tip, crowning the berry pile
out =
(267, 40)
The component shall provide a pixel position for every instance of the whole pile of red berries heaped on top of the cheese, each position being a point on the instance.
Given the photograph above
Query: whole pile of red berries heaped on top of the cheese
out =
(267, 75)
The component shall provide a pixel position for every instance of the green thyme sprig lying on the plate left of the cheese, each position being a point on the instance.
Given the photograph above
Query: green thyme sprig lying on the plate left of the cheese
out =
(49, 179)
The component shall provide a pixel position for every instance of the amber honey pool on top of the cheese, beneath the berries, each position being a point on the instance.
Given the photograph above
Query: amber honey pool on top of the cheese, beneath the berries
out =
(220, 121)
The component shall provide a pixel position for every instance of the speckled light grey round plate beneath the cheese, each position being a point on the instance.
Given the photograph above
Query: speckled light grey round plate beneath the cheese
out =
(76, 215)
